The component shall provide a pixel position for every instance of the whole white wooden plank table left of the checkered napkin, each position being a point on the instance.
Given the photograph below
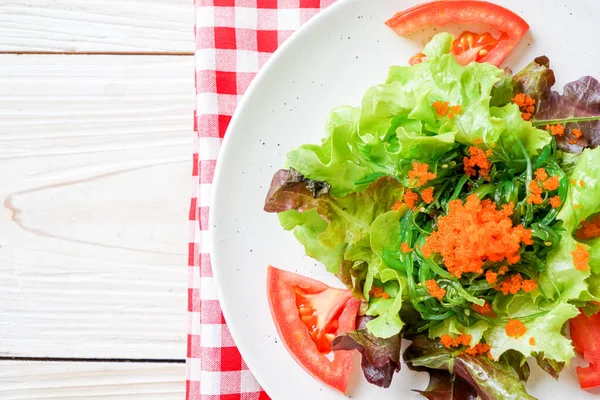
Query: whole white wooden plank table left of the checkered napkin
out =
(96, 101)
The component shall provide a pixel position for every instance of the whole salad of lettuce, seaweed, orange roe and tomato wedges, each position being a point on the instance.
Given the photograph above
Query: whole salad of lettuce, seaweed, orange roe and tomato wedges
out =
(460, 206)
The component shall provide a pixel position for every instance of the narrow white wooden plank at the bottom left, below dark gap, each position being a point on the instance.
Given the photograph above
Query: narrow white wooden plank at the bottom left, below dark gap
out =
(82, 381)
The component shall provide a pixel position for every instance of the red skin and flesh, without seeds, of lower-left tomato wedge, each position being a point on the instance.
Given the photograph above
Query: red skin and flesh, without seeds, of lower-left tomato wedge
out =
(282, 287)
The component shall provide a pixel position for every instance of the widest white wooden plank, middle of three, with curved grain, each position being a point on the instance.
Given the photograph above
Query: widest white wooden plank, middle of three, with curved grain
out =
(95, 165)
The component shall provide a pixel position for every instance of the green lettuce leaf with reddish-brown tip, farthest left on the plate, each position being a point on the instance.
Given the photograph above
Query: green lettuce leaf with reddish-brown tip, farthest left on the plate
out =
(332, 229)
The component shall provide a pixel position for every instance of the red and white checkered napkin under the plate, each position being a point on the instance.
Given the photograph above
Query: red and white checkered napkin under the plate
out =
(234, 39)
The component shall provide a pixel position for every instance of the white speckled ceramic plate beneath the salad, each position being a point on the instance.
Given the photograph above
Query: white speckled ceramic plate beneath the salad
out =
(331, 61)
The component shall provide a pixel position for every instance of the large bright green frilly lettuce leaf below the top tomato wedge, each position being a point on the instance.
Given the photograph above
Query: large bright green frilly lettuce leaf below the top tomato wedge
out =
(397, 124)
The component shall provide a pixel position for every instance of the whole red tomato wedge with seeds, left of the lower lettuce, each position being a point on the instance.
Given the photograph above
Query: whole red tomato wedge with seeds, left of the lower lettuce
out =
(308, 314)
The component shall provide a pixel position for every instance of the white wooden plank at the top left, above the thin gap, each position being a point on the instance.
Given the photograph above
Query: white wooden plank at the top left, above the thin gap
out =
(97, 26)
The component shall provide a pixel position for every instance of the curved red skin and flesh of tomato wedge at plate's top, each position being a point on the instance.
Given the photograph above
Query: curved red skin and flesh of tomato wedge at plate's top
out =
(440, 13)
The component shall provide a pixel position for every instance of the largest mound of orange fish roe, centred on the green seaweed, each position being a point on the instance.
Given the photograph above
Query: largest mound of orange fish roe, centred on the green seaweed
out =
(474, 233)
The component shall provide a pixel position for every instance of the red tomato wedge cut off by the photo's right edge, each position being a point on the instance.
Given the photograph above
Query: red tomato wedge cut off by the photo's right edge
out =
(585, 333)
